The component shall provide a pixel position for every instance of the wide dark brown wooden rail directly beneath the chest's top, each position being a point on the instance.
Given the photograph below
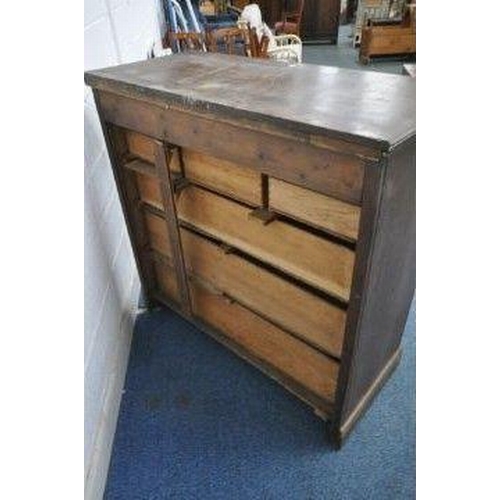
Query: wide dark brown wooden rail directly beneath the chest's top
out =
(296, 161)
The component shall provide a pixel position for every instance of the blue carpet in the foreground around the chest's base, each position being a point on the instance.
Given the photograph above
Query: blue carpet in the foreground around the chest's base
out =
(196, 422)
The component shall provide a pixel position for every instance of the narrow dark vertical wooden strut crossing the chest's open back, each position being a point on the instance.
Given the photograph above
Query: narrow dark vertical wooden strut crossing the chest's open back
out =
(163, 157)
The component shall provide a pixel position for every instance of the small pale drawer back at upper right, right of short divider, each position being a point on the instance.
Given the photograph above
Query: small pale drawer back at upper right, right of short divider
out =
(323, 212)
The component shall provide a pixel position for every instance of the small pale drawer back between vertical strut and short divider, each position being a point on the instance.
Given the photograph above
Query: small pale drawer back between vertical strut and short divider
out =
(222, 176)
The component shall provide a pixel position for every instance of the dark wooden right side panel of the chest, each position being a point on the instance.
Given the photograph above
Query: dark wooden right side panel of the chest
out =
(384, 283)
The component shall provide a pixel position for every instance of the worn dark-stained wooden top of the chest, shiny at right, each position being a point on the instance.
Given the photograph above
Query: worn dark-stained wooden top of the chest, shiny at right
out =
(367, 107)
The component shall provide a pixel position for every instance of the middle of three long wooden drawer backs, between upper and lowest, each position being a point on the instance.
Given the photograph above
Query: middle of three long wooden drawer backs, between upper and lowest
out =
(314, 319)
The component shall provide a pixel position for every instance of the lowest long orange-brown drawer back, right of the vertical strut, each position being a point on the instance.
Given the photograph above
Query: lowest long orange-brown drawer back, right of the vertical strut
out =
(302, 363)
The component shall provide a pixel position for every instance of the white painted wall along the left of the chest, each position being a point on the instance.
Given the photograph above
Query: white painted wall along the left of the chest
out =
(116, 32)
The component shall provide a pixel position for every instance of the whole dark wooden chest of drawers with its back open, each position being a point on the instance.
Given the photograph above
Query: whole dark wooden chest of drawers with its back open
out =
(273, 207)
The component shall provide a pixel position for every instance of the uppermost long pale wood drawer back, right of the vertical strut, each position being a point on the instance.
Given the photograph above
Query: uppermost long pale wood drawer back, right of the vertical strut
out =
(316, 261)
